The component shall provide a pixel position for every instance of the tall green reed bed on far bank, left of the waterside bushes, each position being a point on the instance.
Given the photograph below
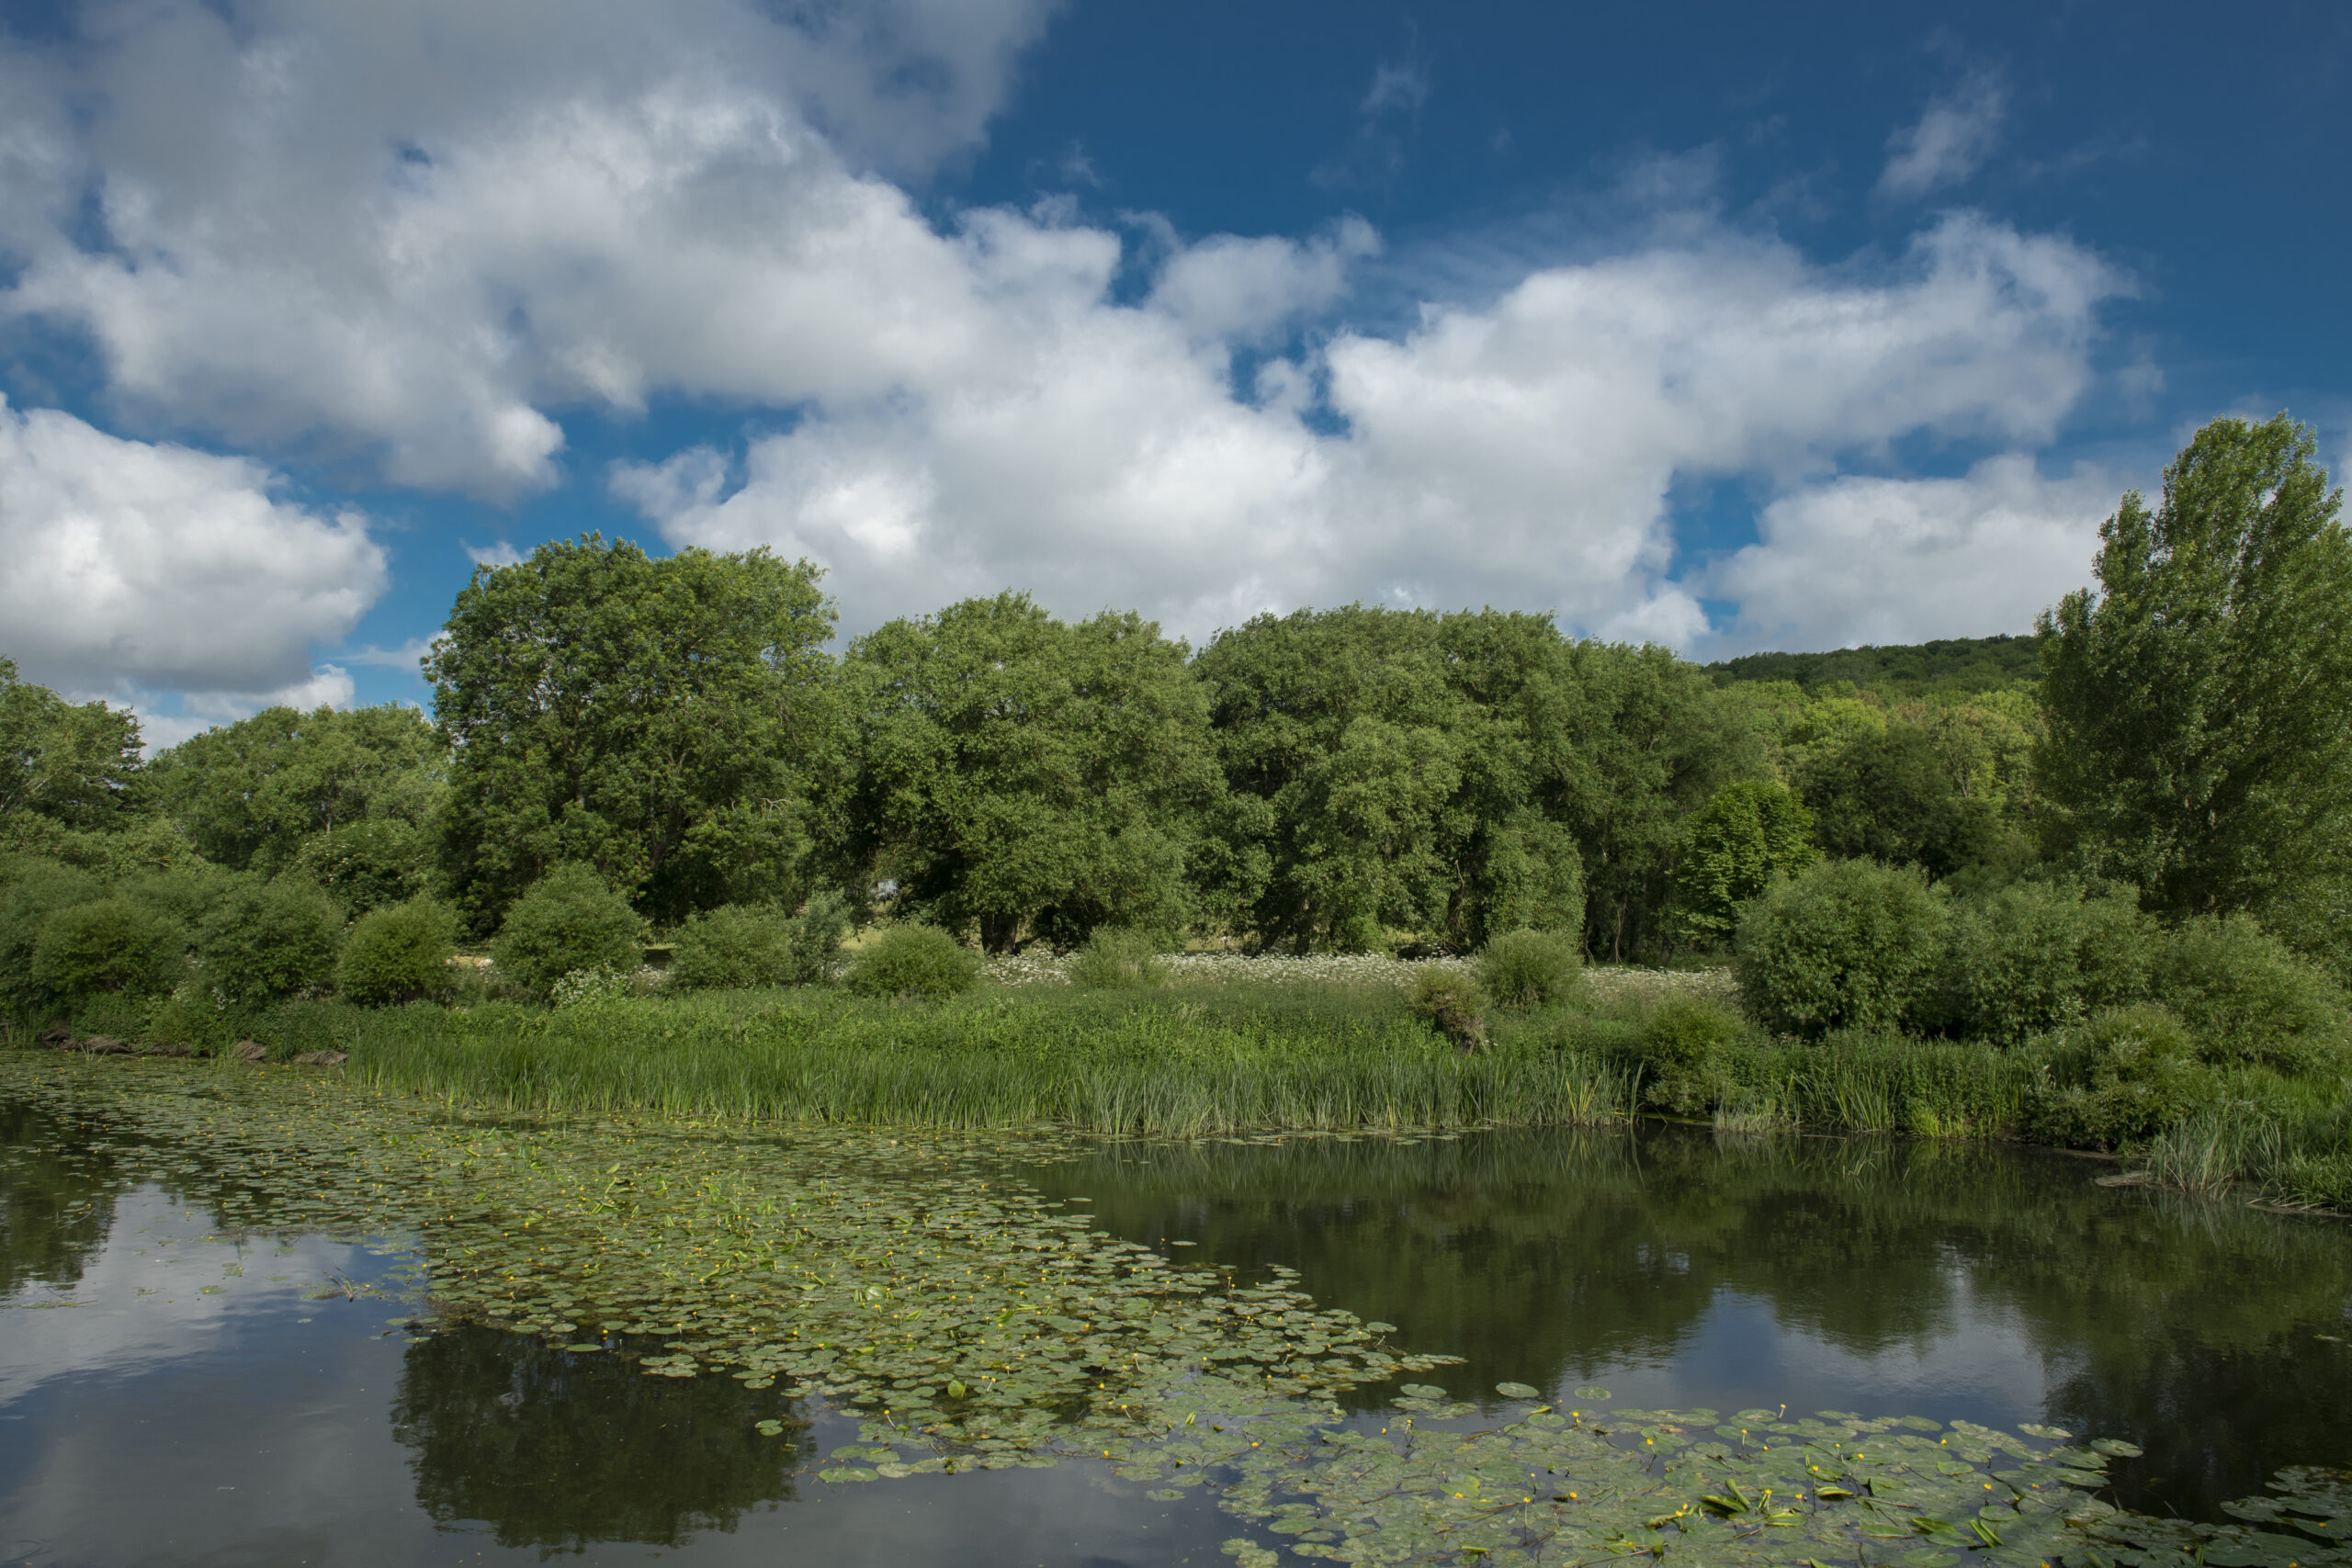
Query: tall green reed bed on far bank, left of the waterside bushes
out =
(1163, 1064)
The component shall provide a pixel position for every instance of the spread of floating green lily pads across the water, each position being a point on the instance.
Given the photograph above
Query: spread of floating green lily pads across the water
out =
(970, 1325)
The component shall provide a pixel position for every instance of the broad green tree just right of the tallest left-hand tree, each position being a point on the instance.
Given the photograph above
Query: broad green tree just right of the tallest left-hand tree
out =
(1024, 775)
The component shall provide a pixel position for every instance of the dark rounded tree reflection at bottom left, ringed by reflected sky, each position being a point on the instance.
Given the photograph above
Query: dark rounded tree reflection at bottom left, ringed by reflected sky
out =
(561, 1449)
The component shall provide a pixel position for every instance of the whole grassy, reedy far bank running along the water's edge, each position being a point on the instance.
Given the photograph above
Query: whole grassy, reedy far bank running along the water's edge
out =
(1224, 1052)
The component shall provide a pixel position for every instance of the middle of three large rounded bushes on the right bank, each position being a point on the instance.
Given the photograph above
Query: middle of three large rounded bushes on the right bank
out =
(2038, 958)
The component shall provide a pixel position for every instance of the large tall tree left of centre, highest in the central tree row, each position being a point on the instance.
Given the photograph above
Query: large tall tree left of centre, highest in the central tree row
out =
(664, 721)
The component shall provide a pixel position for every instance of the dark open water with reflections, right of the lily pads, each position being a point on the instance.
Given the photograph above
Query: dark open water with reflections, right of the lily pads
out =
(1683, 1268)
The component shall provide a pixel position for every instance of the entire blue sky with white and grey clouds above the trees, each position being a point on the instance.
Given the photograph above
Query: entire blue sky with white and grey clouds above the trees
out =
(1713, 326)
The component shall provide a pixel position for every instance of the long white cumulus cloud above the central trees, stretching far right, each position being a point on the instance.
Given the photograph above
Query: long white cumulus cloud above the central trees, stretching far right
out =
(1514, 455)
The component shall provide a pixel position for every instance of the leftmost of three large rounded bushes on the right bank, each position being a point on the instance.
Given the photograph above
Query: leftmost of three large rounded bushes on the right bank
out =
(1843, 944)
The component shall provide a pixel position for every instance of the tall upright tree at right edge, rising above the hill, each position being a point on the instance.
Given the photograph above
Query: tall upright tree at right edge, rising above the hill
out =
(2200, 742)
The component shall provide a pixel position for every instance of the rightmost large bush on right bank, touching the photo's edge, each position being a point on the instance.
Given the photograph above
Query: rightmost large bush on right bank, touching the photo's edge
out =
(2245, 996)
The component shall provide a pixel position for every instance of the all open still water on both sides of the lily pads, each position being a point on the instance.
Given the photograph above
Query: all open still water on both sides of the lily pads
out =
(173, 1393)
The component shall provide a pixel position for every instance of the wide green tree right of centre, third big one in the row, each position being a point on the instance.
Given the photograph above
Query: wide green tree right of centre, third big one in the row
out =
(1396, 770)
